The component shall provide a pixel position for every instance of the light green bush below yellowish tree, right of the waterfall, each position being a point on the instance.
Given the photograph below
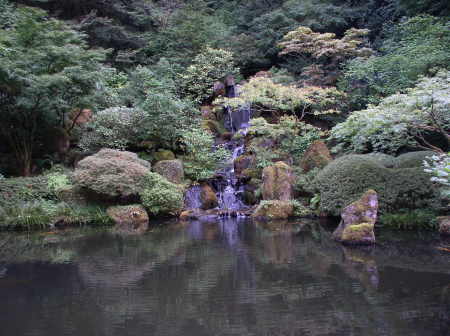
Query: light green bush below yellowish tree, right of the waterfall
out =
(290, 137)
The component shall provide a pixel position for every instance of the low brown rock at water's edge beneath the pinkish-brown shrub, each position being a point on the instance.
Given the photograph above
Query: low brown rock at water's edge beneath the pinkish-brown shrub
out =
(131, 219)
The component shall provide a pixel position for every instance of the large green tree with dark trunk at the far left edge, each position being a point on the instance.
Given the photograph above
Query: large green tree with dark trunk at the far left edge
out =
(46, 71)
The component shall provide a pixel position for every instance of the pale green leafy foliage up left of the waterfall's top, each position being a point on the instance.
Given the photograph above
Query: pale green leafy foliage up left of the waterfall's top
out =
(208, 67)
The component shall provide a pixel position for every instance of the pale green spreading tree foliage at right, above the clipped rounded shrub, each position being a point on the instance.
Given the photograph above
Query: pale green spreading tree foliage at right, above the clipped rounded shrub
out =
(399, 120)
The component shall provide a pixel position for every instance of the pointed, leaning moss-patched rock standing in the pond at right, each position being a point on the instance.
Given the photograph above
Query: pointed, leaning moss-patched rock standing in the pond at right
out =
(358, 220)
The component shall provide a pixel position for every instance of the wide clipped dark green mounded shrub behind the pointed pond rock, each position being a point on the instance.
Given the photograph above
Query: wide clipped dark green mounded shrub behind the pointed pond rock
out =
(347, 178)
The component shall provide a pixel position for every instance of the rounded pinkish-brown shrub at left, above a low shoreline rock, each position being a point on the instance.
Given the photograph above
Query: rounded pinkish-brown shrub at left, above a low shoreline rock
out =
(111, 174)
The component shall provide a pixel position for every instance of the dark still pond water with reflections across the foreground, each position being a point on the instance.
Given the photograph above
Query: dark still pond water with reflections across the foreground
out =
(222, 278)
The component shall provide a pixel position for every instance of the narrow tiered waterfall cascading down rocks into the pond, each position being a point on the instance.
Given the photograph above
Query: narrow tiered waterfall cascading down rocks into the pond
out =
(230, 190)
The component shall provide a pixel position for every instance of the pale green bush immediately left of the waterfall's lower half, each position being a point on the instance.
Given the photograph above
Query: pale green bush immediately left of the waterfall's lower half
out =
(202, 157)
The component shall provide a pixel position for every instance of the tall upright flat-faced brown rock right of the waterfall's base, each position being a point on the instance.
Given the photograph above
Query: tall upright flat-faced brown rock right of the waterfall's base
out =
(277, 184)
